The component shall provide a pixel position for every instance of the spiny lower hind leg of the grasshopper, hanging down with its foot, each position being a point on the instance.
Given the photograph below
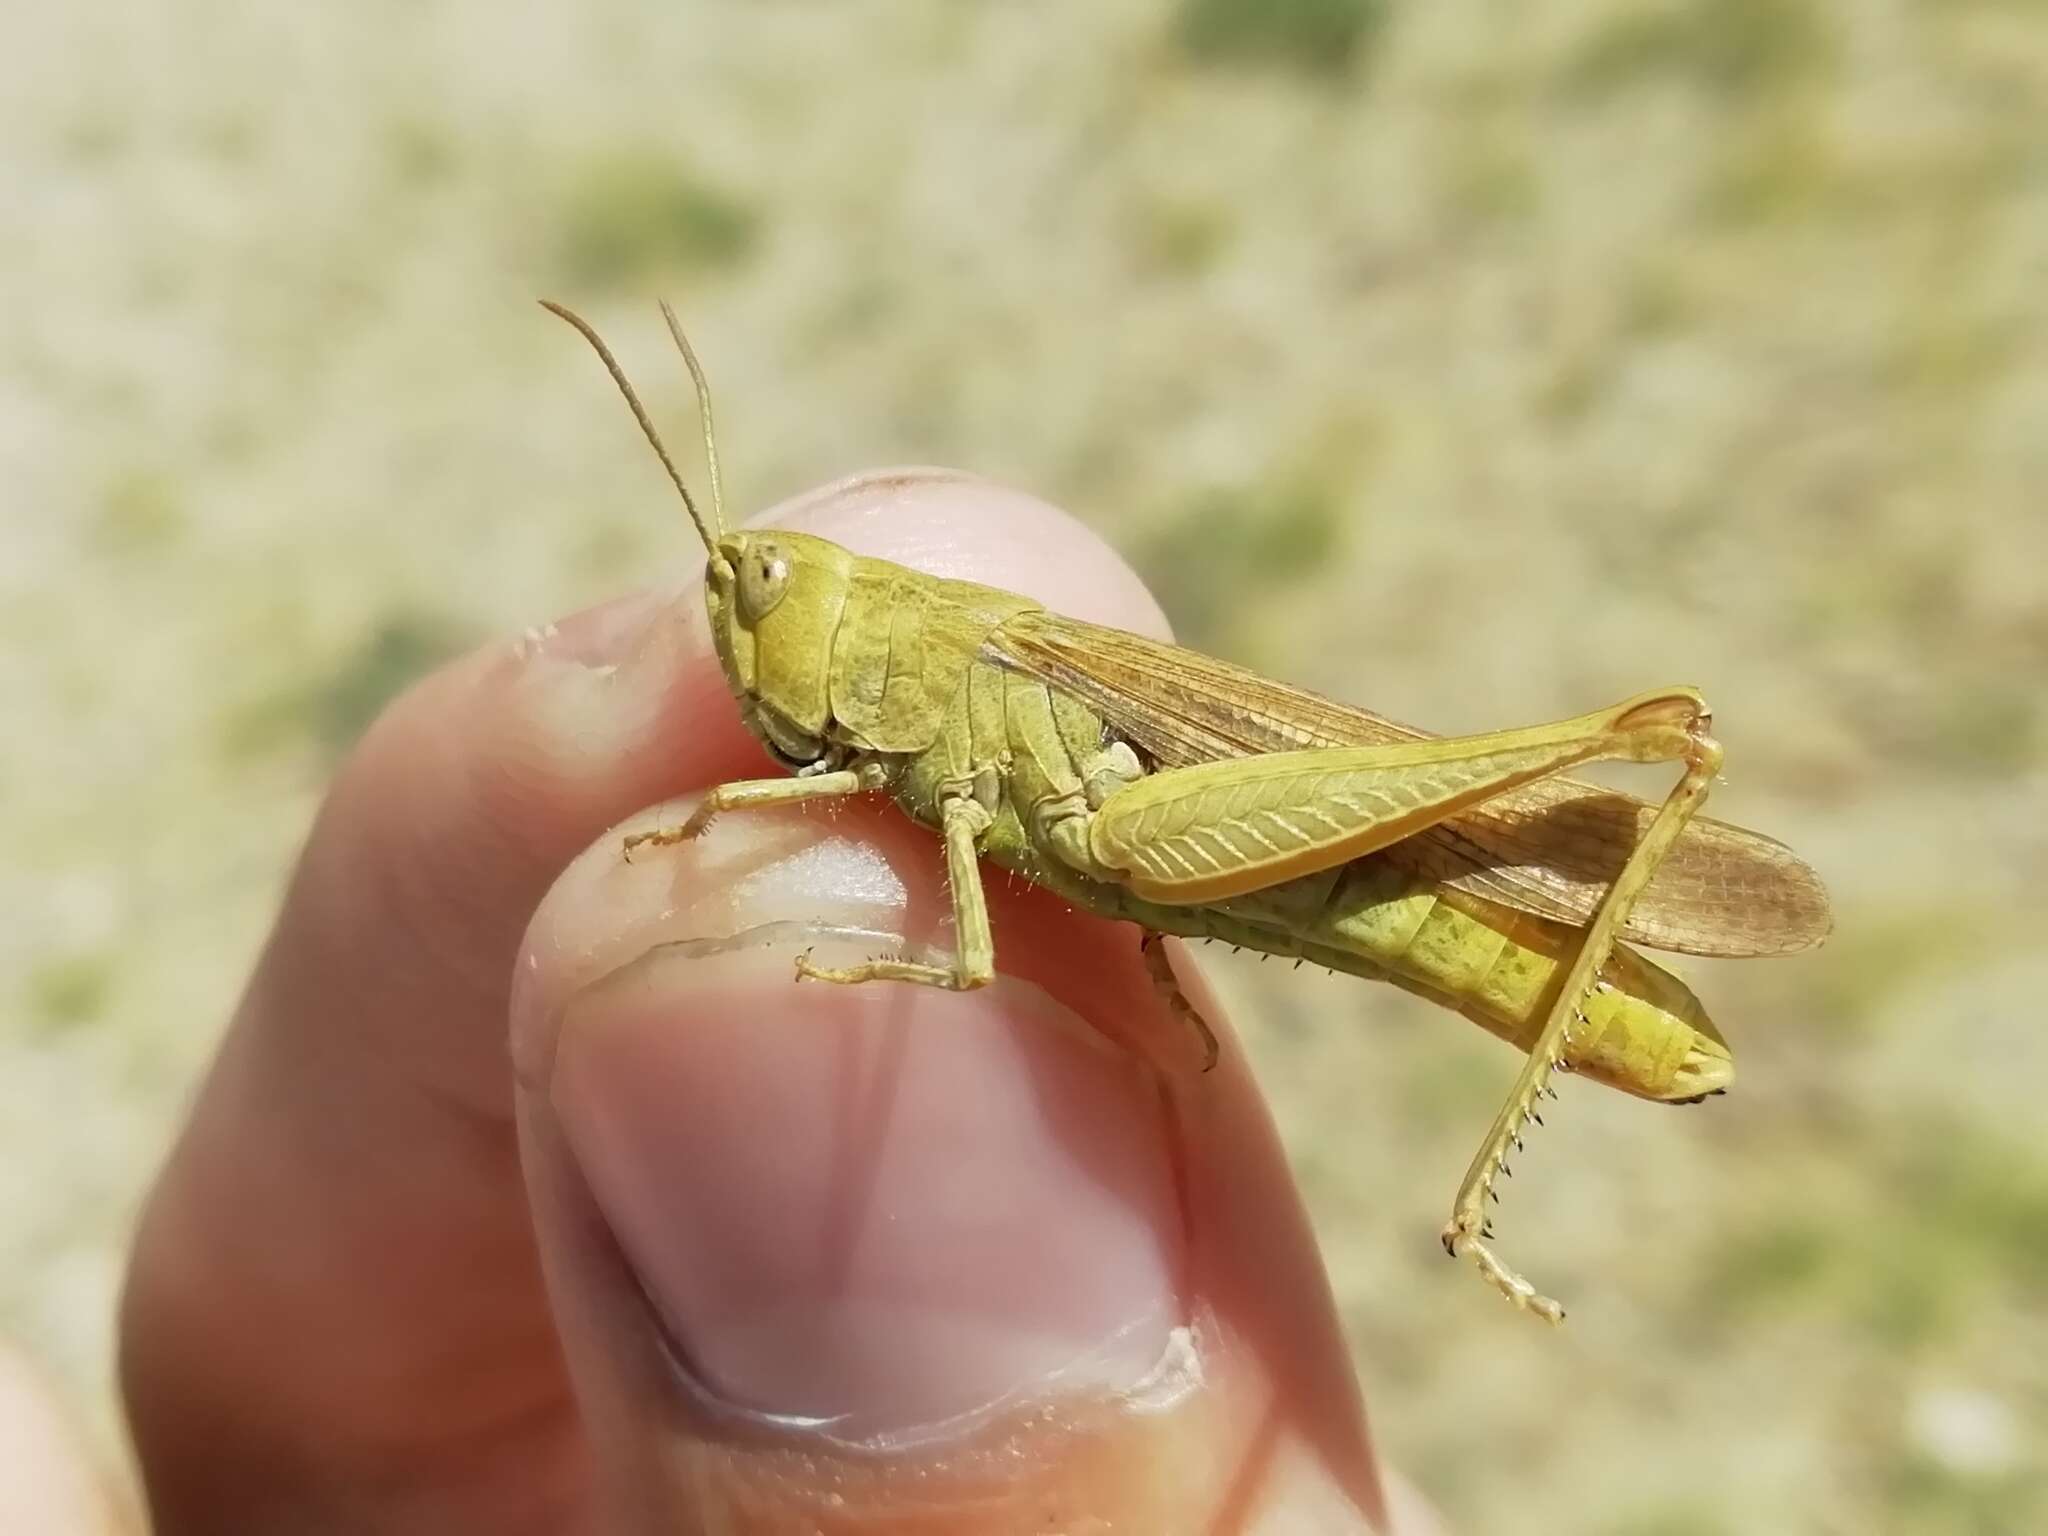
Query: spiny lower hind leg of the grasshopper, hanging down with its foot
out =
(1467, 1232)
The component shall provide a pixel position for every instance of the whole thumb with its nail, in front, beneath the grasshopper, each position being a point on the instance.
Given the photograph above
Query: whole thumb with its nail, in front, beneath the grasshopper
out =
(888, 1258)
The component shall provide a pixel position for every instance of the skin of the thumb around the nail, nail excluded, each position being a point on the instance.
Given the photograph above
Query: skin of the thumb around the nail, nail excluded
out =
(1271, 1441)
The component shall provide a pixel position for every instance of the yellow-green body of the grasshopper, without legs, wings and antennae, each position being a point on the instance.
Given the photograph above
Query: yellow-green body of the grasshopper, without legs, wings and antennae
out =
(890, 665)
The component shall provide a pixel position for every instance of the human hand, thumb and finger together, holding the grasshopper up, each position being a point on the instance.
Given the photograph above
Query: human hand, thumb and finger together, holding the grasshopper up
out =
(706, 1248)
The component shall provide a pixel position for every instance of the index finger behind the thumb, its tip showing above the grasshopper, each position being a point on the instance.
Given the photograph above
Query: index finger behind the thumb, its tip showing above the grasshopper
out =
(337, 1267)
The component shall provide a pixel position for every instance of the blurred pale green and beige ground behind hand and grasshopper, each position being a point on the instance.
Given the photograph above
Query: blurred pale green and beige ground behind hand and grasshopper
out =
(1476, 361)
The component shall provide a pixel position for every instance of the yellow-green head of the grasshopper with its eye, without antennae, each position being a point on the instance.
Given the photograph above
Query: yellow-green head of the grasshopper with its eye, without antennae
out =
(775, 603)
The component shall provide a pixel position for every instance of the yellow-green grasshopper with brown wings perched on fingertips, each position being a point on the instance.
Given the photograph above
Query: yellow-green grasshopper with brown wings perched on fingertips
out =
(1156, 785)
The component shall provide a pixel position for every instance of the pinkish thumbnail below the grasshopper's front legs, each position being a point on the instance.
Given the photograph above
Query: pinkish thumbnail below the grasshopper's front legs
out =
(882, 1211)
